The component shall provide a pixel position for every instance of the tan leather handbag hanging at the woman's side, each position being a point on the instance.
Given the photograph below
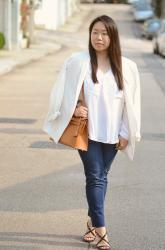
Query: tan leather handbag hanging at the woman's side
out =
(76, 133)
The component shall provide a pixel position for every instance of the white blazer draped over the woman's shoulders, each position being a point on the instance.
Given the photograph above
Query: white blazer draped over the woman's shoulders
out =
(66, 90)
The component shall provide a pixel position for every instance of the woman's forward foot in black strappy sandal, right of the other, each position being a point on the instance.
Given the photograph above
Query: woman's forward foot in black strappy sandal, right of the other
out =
(102, 243)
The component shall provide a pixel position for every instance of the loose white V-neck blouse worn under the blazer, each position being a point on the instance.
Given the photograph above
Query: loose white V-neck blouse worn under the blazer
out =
(107, 118)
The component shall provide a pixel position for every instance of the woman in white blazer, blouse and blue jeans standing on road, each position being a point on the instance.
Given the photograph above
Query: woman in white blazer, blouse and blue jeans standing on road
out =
(112, 96)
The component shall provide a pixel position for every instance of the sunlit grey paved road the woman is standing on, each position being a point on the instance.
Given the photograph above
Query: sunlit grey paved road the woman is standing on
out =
(42, 198)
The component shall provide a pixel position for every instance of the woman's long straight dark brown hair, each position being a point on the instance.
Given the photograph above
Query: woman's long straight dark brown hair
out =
(114, 50)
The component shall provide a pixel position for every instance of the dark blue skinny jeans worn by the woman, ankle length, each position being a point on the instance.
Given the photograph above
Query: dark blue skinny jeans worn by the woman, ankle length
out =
(97, 162)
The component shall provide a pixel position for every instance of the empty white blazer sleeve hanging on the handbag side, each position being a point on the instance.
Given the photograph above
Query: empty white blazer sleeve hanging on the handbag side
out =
(56, 95)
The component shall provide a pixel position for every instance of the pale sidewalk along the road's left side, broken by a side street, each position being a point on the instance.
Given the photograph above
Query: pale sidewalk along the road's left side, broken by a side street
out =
(9, 60)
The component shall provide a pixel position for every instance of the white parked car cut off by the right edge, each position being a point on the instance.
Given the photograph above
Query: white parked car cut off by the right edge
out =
(159, 41)
